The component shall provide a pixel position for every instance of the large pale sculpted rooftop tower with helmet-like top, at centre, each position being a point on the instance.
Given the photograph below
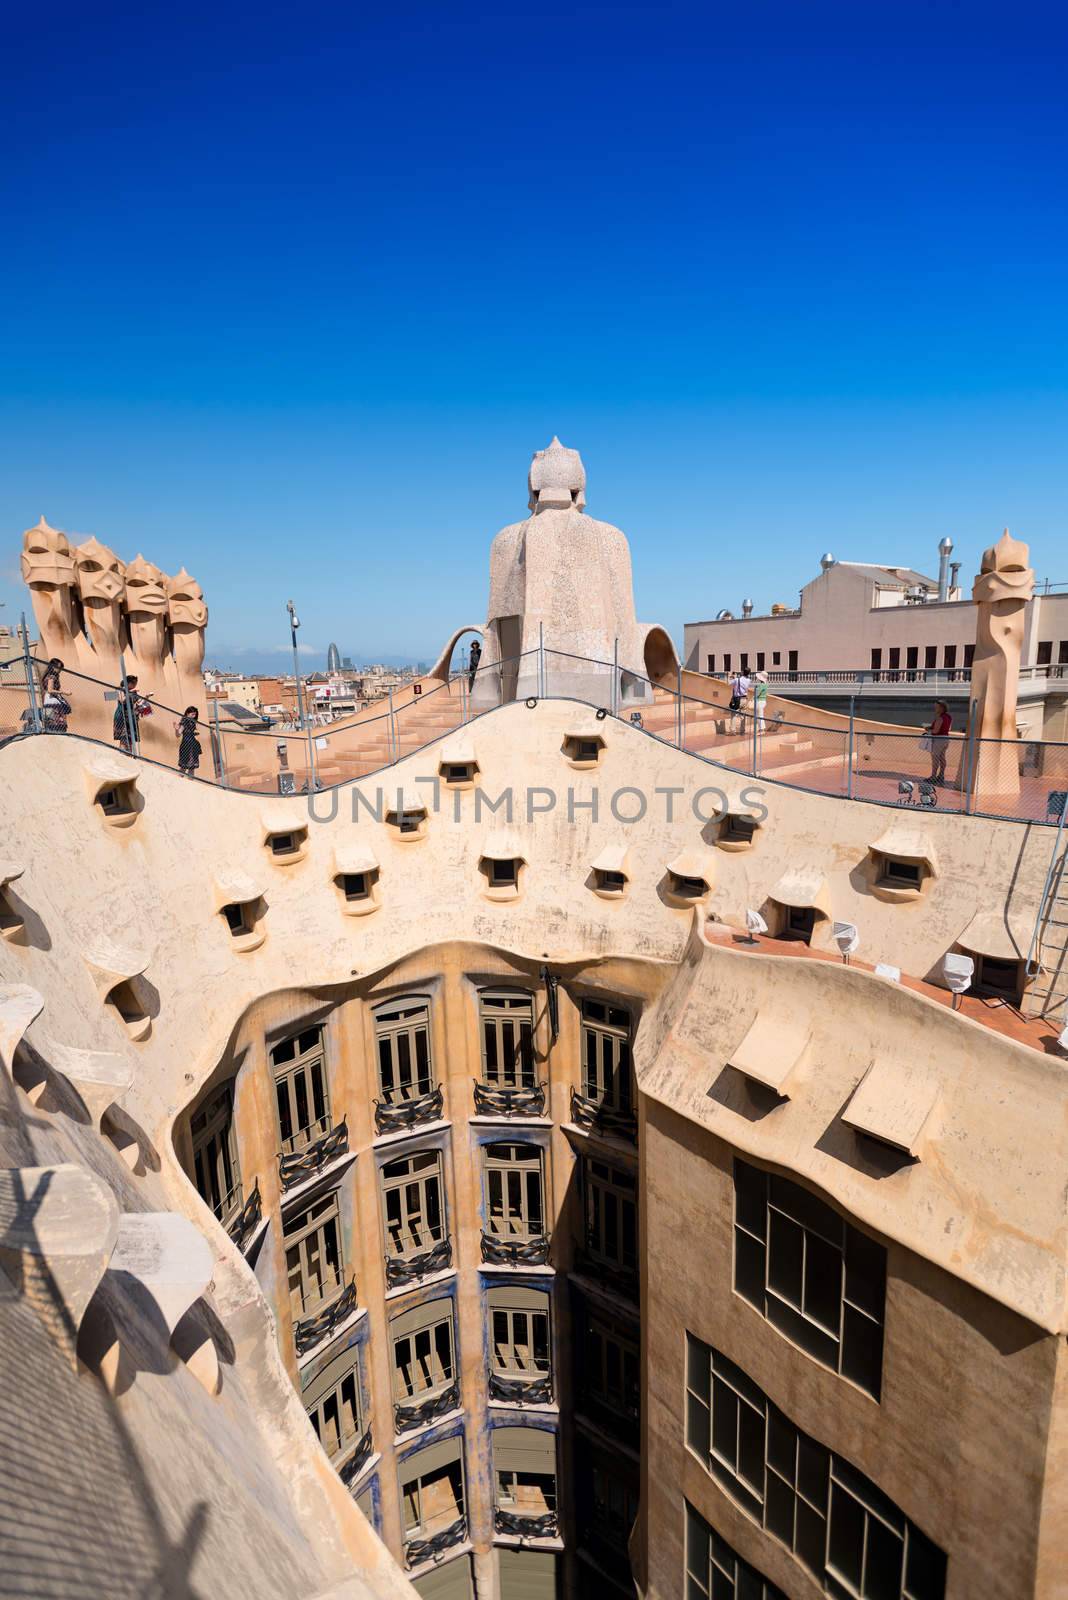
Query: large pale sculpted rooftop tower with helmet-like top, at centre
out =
(564, 577)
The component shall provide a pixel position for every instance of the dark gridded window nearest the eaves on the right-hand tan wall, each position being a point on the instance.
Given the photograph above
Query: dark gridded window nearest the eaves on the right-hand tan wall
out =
(816, 1278)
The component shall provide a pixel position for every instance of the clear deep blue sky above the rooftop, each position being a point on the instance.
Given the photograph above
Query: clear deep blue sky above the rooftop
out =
(292, 294)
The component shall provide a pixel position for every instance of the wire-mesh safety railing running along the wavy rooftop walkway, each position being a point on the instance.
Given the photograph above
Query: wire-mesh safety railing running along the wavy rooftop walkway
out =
(1021, 780)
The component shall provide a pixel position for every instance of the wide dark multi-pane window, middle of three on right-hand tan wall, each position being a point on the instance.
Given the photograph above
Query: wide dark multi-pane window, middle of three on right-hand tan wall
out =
(851, 1537)
